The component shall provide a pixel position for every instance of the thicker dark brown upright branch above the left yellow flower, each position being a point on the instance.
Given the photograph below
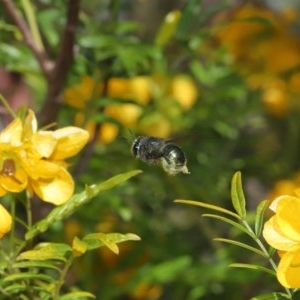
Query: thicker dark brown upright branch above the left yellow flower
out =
(63, 64)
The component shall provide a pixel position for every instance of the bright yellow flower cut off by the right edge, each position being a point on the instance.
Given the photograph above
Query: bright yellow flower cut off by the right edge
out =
(282, 232)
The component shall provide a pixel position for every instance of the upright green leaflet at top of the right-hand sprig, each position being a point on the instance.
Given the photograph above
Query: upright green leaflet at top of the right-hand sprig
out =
(237, 195)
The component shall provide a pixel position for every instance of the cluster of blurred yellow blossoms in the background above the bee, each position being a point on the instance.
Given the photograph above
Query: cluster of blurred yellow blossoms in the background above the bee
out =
(140, 89)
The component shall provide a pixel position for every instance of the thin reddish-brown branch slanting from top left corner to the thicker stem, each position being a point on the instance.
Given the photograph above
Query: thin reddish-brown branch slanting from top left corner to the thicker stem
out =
(40, 55)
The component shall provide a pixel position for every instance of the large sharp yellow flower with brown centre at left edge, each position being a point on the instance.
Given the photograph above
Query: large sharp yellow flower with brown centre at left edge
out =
(34, 160)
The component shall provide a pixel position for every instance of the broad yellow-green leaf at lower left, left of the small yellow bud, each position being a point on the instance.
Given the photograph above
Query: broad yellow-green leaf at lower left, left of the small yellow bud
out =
(46, 251)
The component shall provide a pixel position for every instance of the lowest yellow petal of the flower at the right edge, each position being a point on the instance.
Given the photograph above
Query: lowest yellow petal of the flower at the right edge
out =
(289, 269)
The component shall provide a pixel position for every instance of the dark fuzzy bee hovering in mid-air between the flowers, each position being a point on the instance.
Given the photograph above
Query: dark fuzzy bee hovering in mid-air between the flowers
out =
(157, 150)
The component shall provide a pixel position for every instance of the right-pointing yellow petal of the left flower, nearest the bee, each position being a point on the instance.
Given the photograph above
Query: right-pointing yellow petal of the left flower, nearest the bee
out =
(70, 141)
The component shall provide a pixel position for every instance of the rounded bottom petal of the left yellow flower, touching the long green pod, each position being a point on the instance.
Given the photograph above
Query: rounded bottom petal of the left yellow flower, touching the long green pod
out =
(57, 190)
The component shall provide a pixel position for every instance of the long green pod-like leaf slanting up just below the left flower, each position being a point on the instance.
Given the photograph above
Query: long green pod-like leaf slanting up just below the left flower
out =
(64, 210)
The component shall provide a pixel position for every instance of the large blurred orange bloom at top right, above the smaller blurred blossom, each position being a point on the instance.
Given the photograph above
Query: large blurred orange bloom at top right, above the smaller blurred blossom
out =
(260, 39)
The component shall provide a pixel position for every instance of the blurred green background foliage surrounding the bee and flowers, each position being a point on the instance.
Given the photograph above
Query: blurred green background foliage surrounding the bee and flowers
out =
(226, 129)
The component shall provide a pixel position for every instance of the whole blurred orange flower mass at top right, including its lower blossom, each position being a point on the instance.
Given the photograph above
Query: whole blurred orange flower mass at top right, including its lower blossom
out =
(266, 50)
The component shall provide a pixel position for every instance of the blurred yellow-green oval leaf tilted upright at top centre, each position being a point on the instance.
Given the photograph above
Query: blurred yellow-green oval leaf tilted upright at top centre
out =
(168, 28)
